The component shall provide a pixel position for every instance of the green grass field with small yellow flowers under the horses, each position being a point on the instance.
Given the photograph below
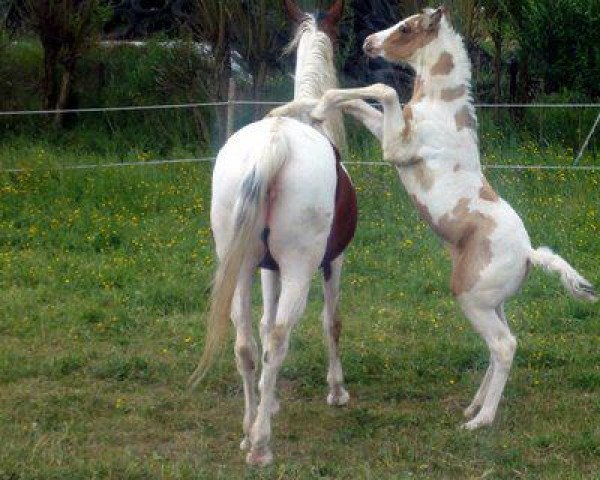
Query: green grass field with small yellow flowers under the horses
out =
(105, 277)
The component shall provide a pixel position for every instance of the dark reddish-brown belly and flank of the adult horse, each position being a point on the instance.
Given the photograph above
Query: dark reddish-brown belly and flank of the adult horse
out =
(343, 226)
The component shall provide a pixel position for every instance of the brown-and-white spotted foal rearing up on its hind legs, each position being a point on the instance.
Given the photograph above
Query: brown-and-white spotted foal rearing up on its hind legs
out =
(433, 143)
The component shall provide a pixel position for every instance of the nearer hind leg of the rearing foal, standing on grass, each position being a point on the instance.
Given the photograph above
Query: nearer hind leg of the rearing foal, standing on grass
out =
(502, 345)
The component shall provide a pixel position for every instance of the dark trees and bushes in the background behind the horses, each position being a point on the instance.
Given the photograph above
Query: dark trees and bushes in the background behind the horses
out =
(522, 51)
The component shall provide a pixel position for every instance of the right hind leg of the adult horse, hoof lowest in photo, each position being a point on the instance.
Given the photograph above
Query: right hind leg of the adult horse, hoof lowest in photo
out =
(292, 301)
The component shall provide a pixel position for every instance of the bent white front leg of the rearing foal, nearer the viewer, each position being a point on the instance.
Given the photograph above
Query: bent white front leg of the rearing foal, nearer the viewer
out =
(393, 119)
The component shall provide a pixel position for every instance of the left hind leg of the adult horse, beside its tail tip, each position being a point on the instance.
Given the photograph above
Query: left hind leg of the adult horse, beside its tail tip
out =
(246, 351)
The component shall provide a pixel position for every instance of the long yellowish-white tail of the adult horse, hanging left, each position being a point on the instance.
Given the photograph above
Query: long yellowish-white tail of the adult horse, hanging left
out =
(264, 165)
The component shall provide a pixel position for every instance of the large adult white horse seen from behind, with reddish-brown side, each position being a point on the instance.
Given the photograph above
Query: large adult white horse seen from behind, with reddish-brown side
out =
(281, 200)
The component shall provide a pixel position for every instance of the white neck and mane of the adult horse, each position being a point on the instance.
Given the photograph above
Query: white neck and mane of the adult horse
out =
(317, 73)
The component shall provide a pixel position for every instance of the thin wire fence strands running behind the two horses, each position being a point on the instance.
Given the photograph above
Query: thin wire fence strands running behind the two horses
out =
(233, 103)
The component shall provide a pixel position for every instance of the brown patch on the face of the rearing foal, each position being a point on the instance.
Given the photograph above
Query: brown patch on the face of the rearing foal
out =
(411, 36)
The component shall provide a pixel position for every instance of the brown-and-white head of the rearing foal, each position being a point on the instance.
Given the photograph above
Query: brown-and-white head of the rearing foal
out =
(405, 40)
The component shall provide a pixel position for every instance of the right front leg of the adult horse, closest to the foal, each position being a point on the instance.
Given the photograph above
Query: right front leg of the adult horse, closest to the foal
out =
(332, 326)
